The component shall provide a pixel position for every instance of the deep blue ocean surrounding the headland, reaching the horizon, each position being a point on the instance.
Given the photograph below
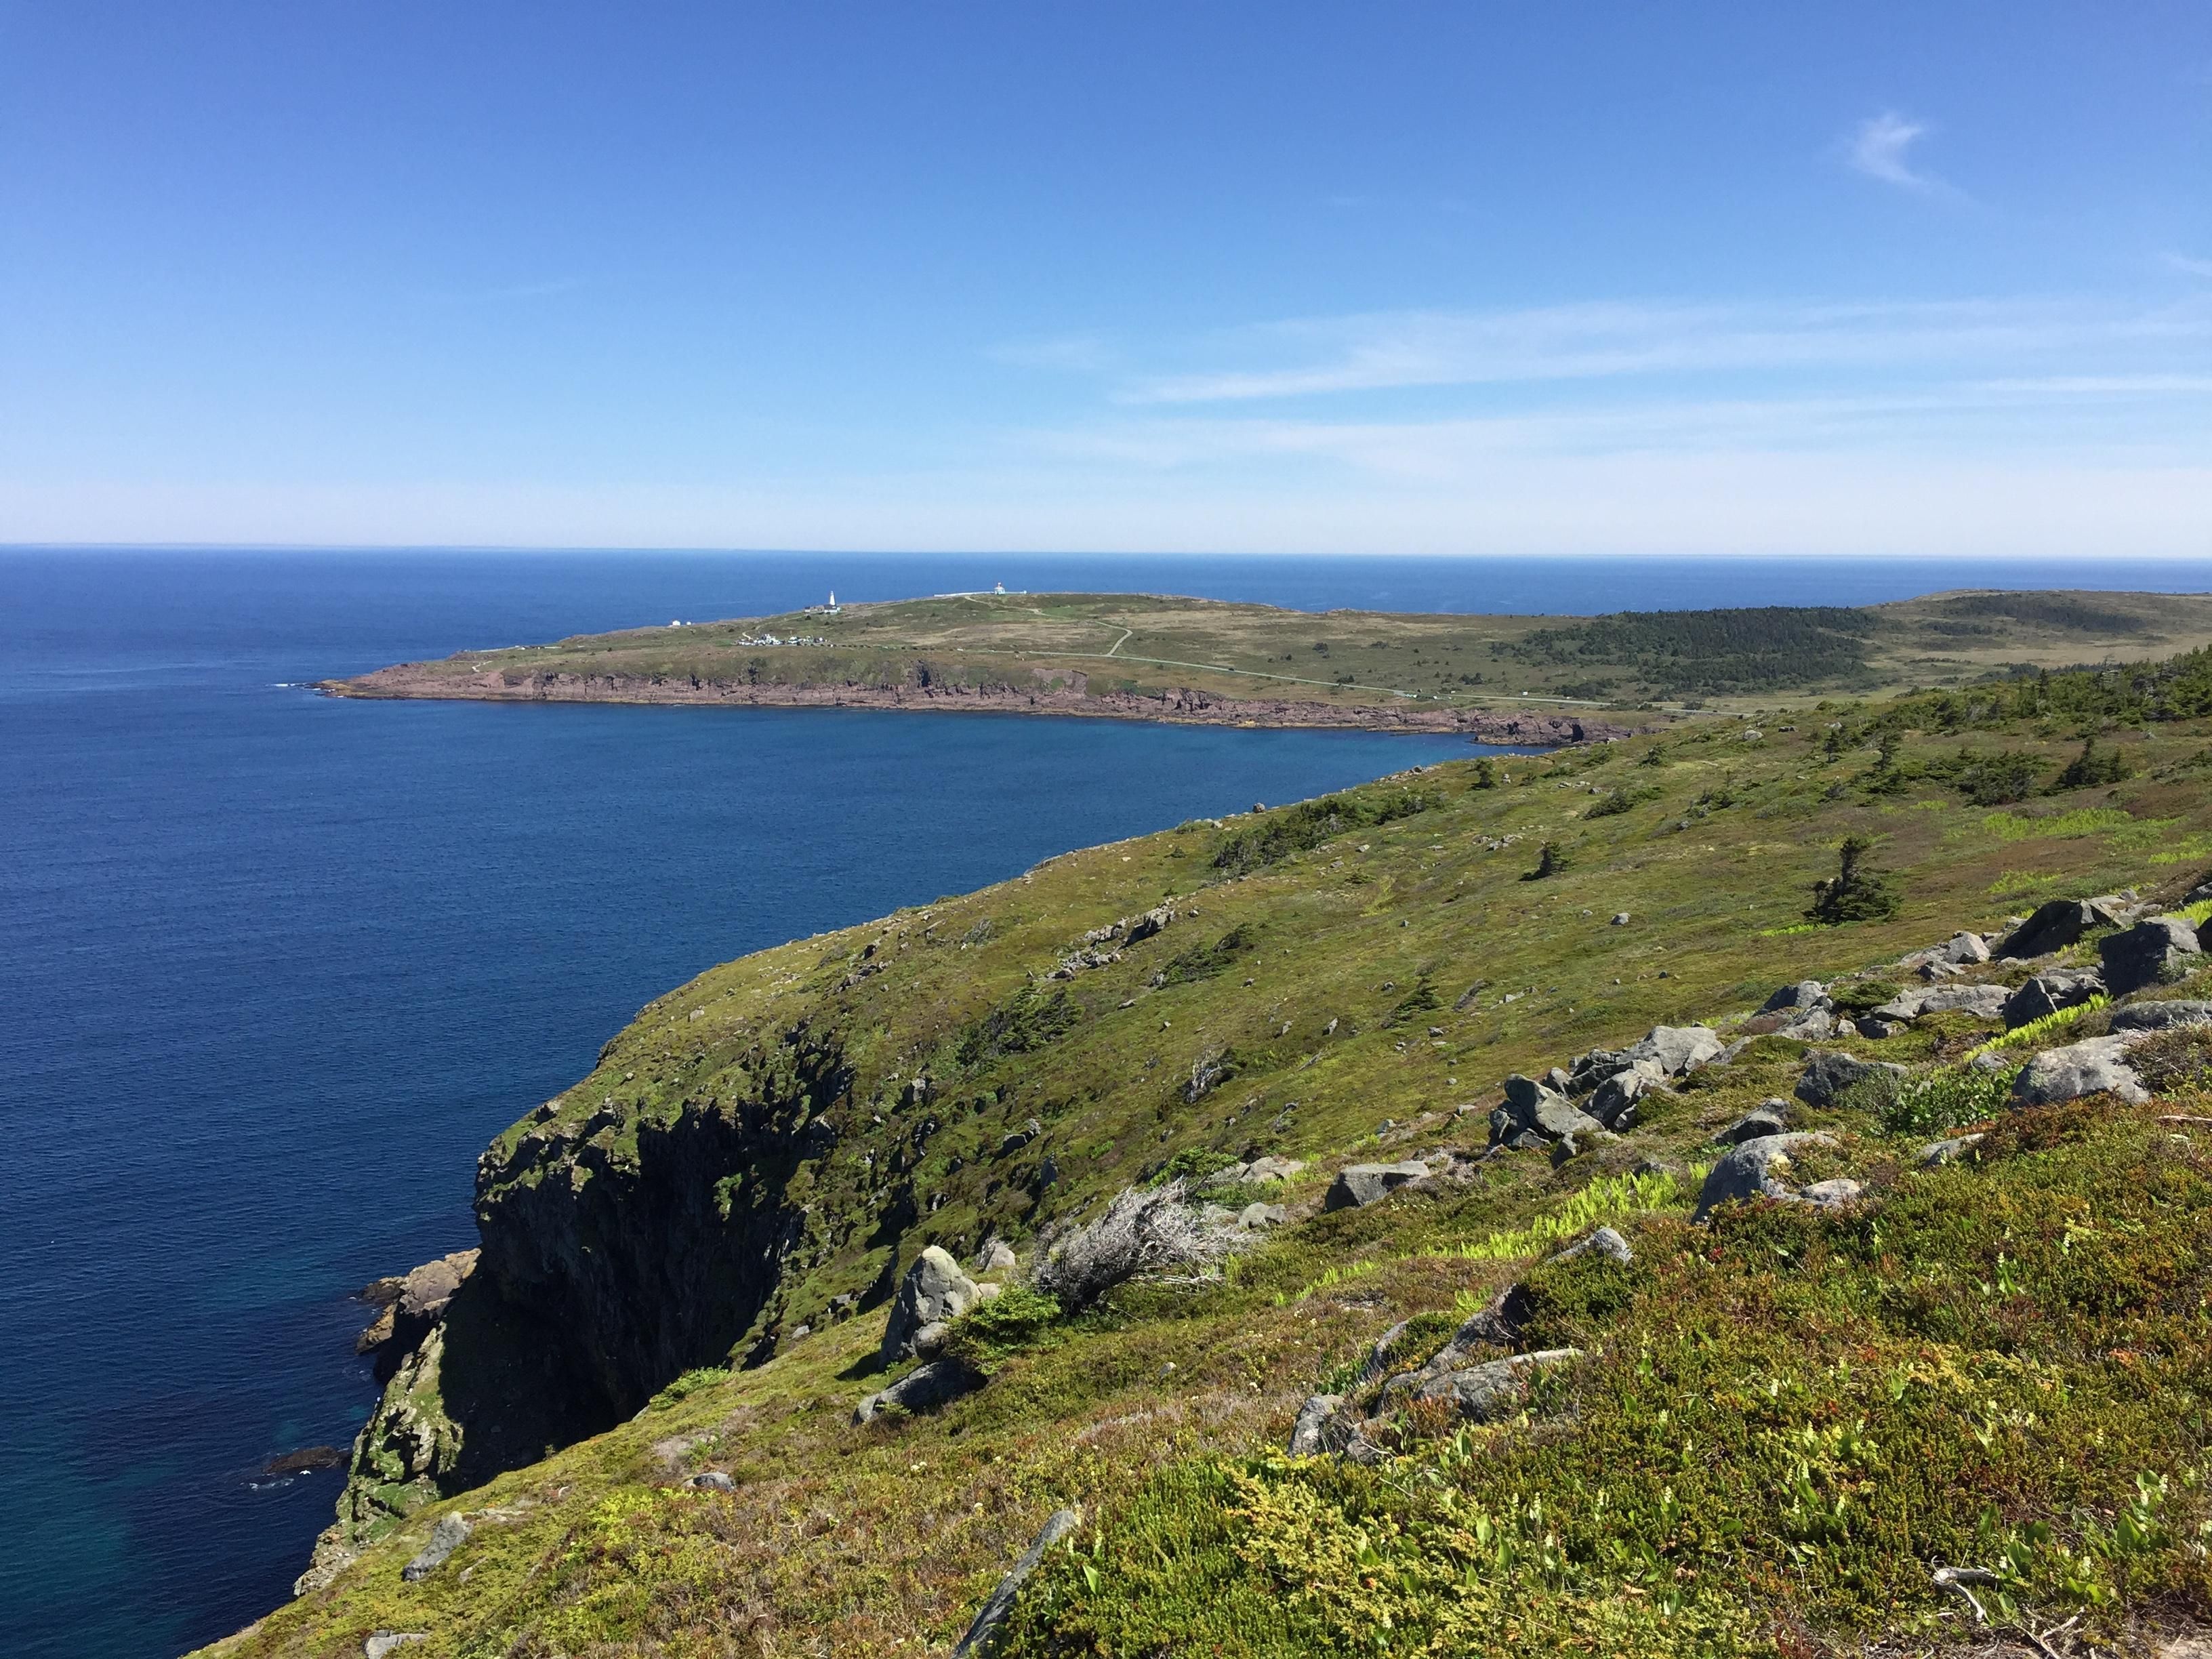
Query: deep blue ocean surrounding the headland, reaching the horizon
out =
(273, 968)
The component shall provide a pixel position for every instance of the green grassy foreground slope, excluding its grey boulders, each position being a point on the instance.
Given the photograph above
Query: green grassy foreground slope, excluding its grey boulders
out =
(1777, 1426)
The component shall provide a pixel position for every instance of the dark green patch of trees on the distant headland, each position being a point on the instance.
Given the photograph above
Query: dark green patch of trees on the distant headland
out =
(1678, 654)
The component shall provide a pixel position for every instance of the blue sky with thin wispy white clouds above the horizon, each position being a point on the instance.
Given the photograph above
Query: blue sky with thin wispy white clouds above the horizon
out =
(1182, 278)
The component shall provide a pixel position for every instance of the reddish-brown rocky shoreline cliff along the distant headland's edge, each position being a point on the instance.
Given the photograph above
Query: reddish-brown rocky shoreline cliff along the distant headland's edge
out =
(1178, 707)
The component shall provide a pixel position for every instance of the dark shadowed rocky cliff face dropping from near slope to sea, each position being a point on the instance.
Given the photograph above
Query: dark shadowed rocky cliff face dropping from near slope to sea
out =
(620, 1251)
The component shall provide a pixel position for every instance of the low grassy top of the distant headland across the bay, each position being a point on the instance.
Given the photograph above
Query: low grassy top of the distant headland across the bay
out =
(1162, 658)
